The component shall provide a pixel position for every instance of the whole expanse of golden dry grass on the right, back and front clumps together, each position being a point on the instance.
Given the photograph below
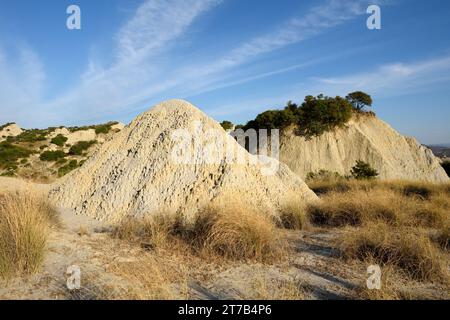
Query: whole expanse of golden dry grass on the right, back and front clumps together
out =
(399, 224)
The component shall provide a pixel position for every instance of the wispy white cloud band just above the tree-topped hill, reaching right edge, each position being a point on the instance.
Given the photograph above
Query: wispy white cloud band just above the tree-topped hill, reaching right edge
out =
(388, 80)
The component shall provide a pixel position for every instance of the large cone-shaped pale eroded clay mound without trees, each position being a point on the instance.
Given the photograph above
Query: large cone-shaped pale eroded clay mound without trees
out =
(136, 173)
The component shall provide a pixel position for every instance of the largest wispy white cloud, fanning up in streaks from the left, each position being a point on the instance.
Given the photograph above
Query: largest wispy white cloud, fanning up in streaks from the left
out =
(143, 69)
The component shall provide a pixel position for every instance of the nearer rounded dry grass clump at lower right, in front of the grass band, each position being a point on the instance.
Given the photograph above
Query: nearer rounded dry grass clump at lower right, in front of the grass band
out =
(405, 248)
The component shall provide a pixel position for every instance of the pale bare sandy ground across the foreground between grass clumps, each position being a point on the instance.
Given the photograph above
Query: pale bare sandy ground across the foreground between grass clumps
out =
(313, 265)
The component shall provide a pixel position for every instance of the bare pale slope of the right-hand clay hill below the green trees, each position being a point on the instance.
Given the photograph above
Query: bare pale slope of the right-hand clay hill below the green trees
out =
(365, 138)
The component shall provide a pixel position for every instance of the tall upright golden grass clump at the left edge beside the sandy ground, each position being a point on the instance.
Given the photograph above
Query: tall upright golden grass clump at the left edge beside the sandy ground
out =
(25, 218)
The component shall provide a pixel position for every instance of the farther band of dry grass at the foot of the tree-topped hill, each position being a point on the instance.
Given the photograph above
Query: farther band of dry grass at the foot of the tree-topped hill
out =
(380, 203)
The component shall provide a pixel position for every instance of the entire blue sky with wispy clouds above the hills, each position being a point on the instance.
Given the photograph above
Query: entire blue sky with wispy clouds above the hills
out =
(231, 58)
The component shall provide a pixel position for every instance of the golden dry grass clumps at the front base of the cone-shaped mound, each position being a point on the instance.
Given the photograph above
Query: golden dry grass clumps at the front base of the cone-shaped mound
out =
(232, 231)
